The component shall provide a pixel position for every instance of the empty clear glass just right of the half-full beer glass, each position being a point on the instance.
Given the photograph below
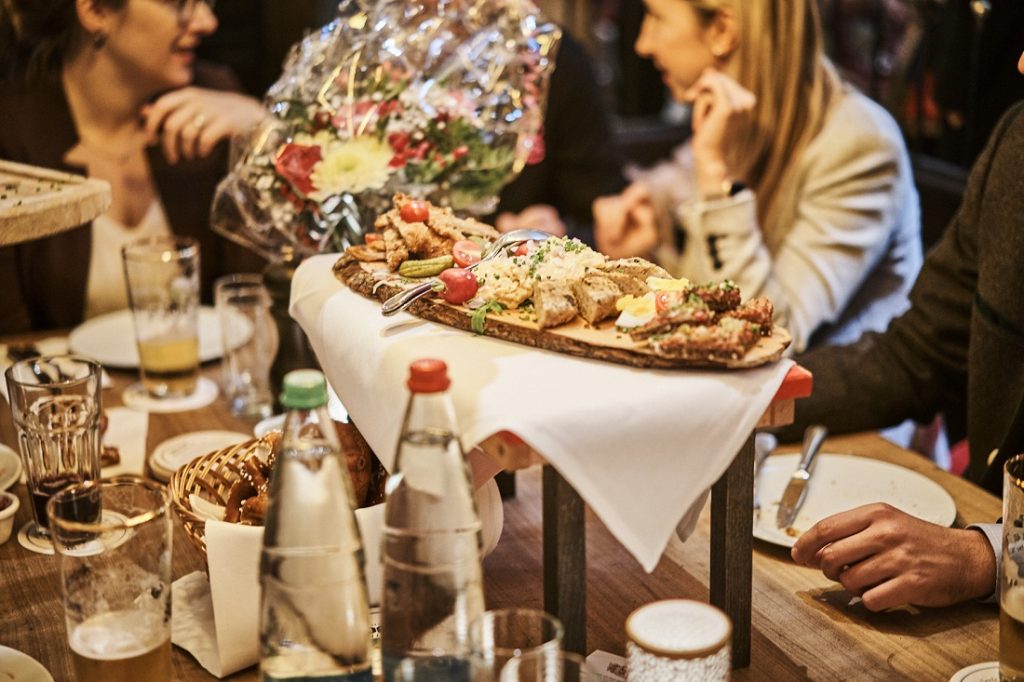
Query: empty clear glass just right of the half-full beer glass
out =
(250, 339)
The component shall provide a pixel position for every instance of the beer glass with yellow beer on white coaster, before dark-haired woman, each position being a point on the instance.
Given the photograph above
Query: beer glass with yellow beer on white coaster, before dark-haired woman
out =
(163, 290)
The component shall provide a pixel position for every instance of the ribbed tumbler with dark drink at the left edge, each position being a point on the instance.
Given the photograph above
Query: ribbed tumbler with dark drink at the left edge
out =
(56, 406)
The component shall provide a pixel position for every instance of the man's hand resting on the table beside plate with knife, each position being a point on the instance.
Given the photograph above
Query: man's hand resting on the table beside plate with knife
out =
(891, 559)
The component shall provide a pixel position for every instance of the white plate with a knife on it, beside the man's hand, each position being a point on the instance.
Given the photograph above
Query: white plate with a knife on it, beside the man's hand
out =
(842, 483)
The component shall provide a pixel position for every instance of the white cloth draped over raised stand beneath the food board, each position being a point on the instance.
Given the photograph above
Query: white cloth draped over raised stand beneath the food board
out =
(639, 446)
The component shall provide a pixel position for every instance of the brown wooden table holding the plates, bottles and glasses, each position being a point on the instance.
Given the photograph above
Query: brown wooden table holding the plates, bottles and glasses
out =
(801, 624)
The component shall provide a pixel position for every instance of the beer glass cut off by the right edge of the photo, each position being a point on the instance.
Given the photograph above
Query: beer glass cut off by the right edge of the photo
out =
(1012, 586)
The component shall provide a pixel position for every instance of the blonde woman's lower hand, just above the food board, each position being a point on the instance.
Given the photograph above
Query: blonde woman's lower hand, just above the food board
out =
(625, 225)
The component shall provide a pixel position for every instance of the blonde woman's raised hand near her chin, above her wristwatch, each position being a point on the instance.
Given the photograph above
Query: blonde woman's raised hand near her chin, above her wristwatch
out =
(722, 110)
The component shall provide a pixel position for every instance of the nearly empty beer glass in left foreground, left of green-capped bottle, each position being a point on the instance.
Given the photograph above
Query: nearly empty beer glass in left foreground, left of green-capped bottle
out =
(114, 539)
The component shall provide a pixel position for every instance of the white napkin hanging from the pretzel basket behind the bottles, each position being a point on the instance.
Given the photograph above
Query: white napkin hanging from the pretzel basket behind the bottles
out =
(218, 621)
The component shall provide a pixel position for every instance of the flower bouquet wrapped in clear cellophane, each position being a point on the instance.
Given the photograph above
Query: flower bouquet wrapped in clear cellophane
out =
(439, 100)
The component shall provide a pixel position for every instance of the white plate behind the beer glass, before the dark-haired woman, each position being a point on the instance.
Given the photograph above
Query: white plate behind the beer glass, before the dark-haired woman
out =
(110, 339)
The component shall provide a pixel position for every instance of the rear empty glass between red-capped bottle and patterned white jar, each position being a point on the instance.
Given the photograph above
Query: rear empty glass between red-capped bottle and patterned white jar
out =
(503, 634)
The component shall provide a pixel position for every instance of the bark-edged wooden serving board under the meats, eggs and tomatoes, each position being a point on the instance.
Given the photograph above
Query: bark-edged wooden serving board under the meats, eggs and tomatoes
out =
(603, 343)
